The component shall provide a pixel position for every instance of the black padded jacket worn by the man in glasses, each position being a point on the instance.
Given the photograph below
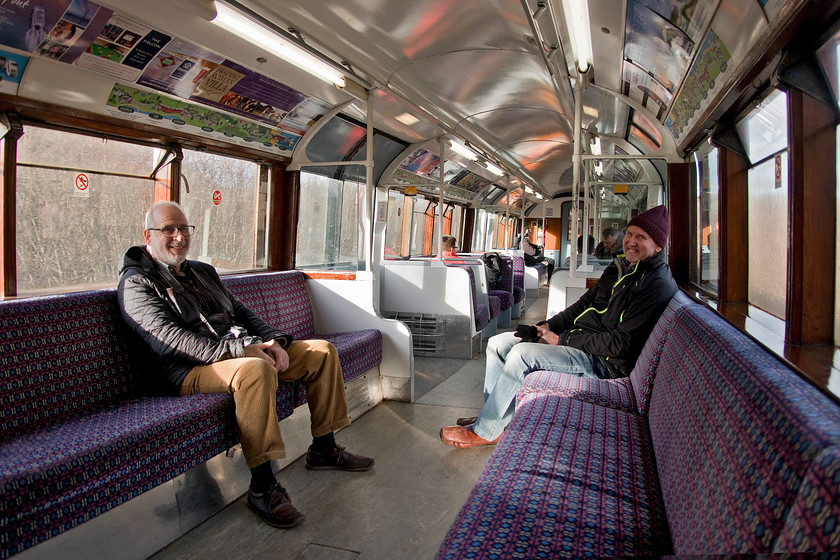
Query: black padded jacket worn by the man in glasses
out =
(169, 320)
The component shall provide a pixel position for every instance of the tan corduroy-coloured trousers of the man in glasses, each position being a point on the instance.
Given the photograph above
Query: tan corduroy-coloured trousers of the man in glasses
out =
(253, 384)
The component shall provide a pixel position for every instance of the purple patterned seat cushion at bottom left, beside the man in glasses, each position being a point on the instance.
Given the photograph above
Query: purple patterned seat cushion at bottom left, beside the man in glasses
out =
(63, 475)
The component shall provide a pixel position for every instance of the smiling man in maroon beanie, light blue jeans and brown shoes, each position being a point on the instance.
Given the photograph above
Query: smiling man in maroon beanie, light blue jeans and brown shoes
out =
(601, 335)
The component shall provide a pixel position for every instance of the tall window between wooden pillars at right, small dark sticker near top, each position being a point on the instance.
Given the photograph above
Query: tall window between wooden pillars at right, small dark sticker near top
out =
(764, 134)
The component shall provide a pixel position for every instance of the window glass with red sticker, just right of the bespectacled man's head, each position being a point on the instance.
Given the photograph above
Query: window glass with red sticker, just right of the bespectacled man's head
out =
(226, 199)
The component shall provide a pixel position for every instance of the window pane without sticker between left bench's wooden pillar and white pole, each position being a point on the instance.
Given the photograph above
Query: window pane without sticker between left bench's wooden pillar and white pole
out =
(329, 224)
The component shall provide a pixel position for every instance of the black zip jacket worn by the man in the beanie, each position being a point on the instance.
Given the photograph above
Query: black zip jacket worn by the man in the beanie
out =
(616, 316)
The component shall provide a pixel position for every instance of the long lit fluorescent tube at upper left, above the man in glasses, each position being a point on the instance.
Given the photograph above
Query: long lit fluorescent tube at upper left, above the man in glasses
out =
(241, 26)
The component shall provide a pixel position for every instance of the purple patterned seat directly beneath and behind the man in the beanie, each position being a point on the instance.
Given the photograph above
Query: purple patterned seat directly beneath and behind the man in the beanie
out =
(630, 394)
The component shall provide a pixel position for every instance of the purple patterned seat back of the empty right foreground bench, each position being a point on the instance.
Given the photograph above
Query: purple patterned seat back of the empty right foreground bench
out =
(743, 444)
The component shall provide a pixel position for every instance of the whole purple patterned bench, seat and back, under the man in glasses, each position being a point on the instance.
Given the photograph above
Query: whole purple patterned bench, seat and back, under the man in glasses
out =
(79, 433)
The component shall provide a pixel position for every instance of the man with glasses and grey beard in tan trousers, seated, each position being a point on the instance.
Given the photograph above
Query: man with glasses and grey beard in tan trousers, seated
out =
(201, 339)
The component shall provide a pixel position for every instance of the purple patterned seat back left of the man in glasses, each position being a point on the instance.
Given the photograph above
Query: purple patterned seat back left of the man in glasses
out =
(61, 357)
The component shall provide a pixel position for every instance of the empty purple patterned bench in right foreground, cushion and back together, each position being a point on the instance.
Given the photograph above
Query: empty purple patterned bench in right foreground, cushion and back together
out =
(737, 455)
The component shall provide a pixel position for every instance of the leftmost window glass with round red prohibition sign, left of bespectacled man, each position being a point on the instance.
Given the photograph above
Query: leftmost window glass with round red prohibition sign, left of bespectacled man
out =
(80, 204)
